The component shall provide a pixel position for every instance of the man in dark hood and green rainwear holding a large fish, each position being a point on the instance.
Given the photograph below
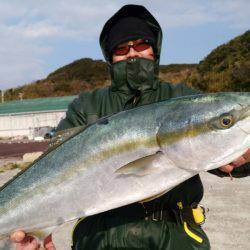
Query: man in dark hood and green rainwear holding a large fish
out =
(131, 44)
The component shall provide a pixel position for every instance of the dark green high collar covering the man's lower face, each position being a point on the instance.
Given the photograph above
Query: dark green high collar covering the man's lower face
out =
(134, 74)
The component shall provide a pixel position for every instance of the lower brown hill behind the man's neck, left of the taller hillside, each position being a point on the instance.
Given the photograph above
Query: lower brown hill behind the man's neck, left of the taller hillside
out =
(86, 74)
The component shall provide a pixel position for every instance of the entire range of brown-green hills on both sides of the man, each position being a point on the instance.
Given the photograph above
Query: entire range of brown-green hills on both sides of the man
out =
(226, 68)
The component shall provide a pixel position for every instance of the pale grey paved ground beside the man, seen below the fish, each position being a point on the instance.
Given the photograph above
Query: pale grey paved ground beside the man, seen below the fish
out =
(228, 218)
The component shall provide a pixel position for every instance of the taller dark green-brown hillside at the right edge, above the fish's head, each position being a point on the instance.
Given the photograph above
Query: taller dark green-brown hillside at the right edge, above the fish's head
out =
(227, 68)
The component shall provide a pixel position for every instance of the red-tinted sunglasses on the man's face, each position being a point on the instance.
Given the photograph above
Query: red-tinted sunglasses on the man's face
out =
(138, 46)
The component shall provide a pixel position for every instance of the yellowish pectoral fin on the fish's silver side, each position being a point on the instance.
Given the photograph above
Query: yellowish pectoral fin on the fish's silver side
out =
(142, 166)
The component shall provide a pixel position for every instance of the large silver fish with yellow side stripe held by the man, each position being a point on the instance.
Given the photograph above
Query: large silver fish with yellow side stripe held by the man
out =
(125, 158)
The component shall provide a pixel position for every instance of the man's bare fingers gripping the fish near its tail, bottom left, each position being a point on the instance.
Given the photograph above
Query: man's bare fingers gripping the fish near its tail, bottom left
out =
(24, 242)
